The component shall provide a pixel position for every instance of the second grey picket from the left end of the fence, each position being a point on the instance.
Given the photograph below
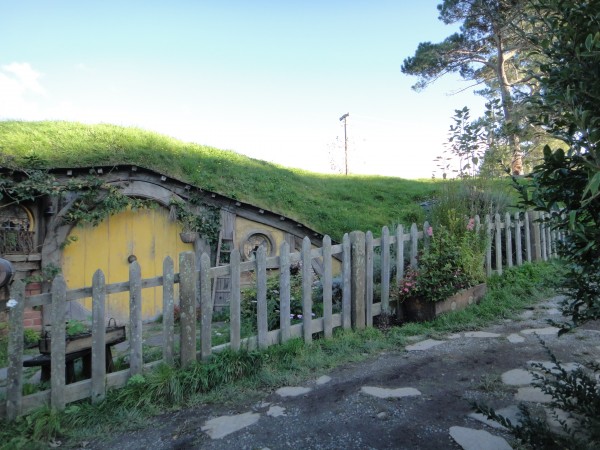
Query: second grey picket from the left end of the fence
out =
(58, 344)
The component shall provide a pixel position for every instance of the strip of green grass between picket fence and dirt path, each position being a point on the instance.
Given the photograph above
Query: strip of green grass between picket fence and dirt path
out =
(231, 377)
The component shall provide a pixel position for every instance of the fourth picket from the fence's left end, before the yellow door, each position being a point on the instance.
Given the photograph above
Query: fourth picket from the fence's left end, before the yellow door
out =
(135, 319)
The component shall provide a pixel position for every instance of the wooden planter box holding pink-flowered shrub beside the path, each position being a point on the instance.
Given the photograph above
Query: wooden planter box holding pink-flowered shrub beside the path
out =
(421, 310)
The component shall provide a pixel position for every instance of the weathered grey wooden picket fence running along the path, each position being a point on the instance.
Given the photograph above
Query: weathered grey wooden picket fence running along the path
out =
(511, 240)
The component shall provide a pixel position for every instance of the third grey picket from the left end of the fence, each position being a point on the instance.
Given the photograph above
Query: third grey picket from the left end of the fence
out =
(98, 337)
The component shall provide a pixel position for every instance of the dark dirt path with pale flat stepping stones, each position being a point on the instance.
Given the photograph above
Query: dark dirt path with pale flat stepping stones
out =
(340, 409)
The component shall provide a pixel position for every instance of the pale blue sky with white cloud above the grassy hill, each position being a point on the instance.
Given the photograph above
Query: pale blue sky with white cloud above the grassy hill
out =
(268, 79)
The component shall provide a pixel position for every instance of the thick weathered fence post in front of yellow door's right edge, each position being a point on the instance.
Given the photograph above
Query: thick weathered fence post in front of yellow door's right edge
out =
(187, 305)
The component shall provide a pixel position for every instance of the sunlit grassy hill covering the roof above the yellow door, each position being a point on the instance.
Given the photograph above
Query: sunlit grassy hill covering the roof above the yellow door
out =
(331, 204)
